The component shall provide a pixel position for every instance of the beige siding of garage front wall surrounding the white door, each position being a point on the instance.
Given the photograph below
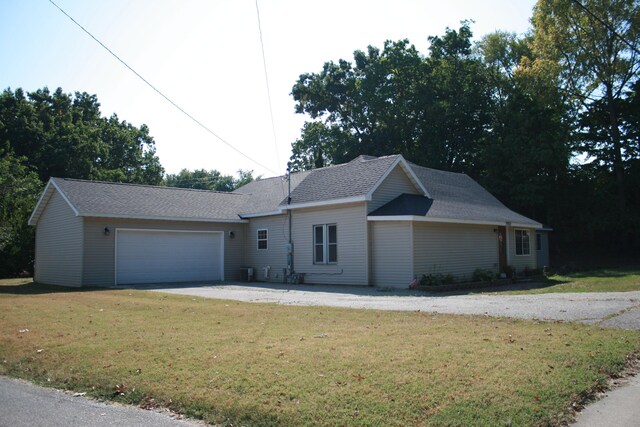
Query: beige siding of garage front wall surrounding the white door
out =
(99, 260)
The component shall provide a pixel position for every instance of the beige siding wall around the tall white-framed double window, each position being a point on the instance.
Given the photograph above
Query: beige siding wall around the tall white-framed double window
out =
(351, 268)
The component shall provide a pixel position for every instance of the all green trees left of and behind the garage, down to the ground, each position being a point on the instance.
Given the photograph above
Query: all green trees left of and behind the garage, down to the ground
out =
(45, 134)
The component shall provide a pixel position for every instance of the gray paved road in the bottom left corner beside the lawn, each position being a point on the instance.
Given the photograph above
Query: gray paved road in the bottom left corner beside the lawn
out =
(24, 405)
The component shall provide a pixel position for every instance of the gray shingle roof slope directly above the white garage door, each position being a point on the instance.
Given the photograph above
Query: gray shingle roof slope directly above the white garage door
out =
(94, 198)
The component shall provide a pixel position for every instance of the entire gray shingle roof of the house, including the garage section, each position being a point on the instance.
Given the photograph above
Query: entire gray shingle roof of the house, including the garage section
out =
(453, 196)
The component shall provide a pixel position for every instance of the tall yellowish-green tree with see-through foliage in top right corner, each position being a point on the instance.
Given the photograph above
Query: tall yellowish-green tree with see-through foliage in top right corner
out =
(595, 44)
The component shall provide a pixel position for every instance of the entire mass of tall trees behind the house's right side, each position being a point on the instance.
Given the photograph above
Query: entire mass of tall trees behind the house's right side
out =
(547, 121)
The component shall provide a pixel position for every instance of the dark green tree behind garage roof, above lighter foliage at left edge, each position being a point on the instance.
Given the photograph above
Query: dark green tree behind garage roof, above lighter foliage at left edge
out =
(64, 135)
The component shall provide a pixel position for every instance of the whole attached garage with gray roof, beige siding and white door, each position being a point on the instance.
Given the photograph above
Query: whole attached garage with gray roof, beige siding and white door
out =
(104, 234)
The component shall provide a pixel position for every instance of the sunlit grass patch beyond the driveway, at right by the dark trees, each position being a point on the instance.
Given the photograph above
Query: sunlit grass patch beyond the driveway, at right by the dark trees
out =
(603, 280)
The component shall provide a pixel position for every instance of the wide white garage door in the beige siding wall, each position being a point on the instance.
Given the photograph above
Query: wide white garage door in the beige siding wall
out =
(158, 256)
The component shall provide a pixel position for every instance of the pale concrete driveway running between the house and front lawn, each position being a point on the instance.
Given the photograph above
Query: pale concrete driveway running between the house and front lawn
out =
(612, 309)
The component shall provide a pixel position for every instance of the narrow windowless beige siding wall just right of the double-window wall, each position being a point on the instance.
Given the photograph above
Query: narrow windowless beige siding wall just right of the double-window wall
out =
(391, 253)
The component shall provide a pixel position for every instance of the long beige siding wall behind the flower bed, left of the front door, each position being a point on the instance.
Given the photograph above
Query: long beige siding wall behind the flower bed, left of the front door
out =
(457, 249)
